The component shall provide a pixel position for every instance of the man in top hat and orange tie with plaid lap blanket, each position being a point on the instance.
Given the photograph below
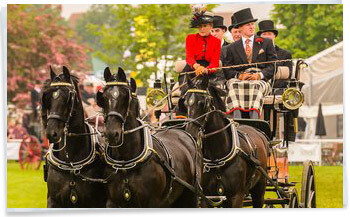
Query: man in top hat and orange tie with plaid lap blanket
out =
(247, 84)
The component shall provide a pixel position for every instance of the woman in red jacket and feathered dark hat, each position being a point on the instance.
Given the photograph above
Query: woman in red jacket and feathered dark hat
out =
(202, 51)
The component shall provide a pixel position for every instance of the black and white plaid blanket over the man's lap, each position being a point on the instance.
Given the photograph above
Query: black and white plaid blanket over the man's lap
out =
(246, 95)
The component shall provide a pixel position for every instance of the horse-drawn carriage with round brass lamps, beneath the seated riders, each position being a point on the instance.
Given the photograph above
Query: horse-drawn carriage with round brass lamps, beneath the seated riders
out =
(283, 103)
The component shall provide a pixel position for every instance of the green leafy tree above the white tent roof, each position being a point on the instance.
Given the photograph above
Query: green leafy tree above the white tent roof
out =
(307, 29)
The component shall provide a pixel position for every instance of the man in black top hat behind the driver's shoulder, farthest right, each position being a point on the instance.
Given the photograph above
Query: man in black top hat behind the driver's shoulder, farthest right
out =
(267, 30)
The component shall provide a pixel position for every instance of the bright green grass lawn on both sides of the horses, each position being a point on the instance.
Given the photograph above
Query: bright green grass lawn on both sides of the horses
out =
(27, 189)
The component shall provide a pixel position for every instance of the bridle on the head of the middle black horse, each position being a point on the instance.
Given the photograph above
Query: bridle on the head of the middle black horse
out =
(116, 114)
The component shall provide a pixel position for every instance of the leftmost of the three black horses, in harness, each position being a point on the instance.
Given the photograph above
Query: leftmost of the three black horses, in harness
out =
(73, 161)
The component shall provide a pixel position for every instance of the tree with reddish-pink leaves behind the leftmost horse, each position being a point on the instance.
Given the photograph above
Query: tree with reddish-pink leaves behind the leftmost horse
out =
(37, 36)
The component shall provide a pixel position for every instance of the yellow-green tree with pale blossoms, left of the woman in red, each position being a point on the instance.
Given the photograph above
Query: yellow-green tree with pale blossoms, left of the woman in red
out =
(152, 36)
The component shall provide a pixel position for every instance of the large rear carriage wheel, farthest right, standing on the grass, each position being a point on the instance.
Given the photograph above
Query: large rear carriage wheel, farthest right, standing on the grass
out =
(308, 187)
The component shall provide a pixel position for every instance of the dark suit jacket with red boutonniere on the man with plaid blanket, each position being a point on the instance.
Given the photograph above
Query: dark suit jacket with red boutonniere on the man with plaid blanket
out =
(235, 55)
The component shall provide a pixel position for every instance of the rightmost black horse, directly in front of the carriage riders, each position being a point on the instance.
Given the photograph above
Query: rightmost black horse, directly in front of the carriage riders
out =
(225, 171)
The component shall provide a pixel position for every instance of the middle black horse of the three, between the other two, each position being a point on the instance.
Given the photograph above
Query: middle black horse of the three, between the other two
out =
(143, 167)
